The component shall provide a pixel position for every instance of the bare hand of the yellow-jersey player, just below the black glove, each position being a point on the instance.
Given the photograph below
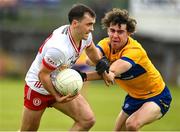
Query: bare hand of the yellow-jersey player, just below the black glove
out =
(108, 78)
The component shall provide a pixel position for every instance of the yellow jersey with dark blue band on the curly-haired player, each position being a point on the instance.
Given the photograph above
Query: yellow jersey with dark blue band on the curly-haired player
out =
(142, 80)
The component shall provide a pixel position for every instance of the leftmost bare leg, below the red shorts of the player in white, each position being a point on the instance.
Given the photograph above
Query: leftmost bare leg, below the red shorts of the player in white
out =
(31, 120)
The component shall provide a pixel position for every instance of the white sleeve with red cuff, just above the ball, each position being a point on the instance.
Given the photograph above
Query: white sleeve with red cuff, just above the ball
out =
(53, 58)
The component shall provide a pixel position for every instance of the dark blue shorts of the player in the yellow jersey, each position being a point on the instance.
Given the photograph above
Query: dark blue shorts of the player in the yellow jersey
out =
(163, 100)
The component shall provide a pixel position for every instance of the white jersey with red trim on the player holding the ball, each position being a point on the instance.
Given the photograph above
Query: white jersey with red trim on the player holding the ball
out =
(58, 49)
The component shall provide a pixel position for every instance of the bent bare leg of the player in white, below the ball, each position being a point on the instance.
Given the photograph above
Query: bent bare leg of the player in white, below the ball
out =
(79, 110)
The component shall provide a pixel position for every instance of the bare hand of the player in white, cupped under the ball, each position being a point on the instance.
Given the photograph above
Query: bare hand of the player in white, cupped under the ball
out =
(66, 98)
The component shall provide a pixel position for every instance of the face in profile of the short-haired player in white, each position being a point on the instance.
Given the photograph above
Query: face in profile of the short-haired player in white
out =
(85, 26)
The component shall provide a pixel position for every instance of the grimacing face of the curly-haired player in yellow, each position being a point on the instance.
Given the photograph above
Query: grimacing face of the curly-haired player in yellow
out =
(118, 36)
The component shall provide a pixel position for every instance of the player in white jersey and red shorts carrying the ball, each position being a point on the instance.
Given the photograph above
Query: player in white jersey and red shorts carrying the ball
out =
(62, 47)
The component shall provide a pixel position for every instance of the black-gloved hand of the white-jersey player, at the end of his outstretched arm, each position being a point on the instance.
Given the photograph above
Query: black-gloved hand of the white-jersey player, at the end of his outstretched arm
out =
(102, 66)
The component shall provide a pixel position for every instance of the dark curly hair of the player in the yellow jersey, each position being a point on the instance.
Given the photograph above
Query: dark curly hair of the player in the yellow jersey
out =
(119, 16)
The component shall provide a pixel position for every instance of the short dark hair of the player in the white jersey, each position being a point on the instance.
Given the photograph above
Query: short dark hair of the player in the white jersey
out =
(77, 12)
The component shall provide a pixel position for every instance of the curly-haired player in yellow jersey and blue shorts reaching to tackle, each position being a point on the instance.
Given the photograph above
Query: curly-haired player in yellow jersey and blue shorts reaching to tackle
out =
(148, 98)
